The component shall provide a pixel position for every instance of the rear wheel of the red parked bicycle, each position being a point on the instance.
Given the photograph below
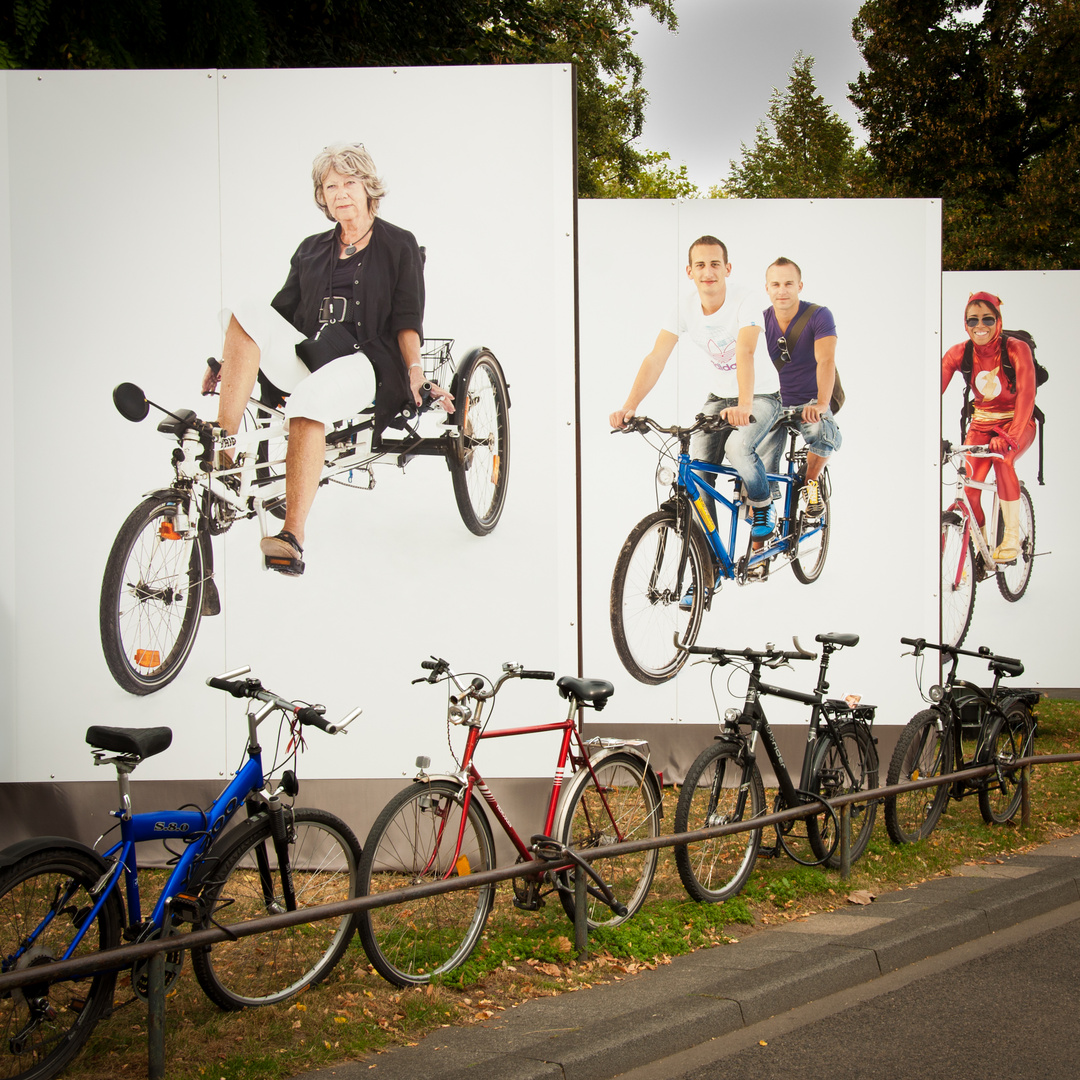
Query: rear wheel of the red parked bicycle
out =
(626, 807)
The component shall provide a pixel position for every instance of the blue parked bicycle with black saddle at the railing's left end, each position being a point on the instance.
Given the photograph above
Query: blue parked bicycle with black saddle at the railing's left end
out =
(61, 900)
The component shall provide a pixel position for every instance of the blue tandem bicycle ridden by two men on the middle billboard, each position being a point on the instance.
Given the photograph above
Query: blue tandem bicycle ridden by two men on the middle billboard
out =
(677, 560)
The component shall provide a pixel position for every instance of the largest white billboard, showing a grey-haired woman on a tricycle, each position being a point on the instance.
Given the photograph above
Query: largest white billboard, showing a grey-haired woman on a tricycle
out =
(188, 193)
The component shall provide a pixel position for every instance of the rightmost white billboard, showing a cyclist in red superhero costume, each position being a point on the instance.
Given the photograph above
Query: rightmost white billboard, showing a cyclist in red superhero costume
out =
(1005, 524)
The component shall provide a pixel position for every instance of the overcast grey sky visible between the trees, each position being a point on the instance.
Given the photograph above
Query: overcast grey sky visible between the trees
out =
(710, 83)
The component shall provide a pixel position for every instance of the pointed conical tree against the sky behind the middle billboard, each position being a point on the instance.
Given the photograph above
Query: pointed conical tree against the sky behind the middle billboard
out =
(803, 151)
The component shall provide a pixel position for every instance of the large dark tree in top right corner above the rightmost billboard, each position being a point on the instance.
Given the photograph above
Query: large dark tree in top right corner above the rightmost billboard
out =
(981, 109)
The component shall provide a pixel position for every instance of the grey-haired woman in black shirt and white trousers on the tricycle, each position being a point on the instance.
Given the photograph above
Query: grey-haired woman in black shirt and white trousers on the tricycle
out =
(353, 310)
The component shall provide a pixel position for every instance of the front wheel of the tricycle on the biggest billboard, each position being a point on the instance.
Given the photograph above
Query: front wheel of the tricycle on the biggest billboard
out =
(152, 598)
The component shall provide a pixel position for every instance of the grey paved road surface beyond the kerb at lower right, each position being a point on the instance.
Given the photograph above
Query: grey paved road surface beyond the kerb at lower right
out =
(1008, 1004)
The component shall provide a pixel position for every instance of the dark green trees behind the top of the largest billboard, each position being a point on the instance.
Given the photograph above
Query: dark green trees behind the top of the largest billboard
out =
(595, 35)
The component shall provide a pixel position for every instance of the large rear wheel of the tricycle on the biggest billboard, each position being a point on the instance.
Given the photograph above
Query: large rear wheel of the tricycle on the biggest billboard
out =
(480, 465)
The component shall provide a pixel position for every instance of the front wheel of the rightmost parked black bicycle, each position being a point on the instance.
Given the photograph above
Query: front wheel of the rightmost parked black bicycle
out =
(922, 751)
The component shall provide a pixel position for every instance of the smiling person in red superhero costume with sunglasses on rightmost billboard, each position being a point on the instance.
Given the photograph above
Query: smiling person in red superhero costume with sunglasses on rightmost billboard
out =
(1003, 414)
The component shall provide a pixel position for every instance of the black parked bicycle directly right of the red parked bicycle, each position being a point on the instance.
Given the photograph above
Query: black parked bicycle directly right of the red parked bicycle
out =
(724, 786)
